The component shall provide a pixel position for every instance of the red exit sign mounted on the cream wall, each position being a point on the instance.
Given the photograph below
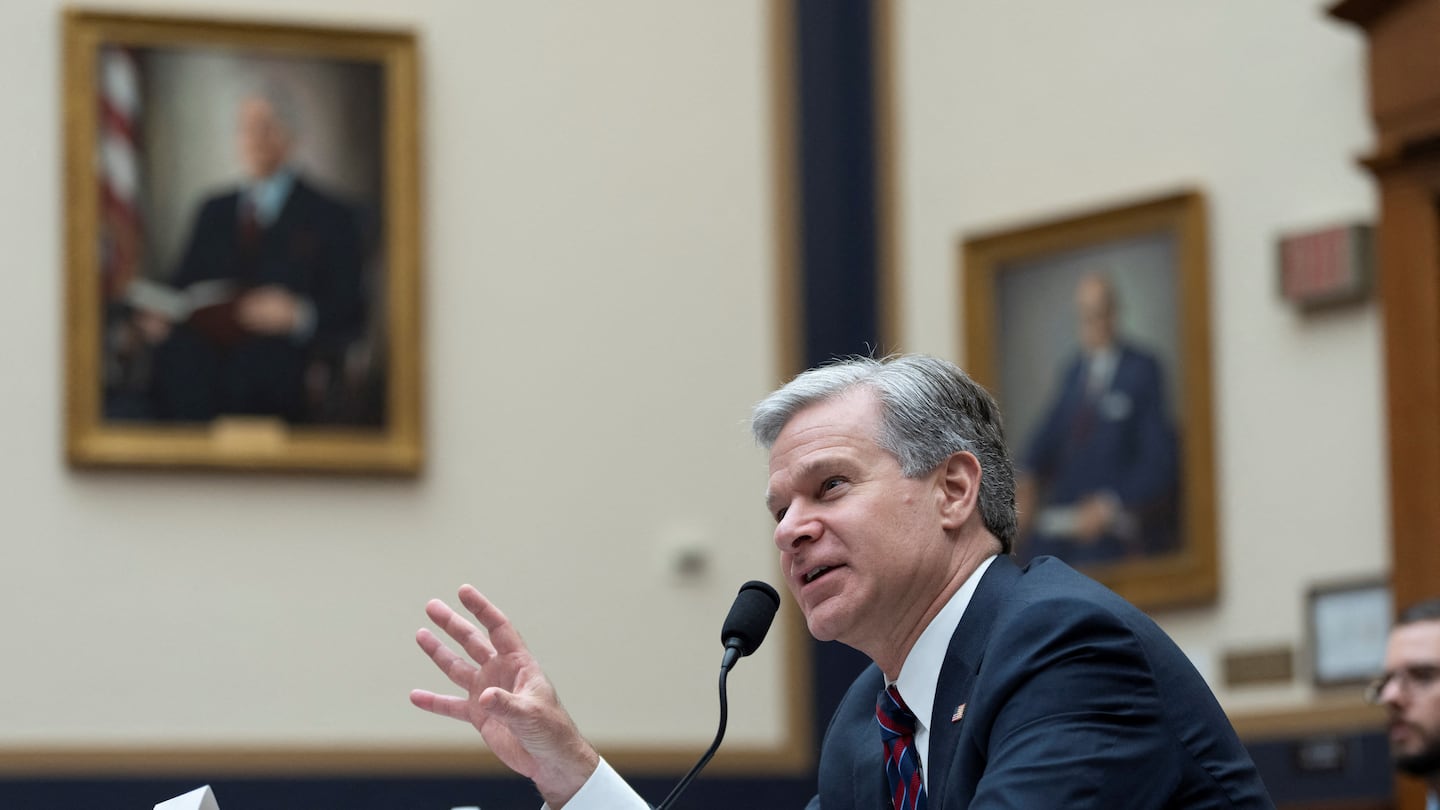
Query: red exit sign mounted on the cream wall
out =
(1327, 267)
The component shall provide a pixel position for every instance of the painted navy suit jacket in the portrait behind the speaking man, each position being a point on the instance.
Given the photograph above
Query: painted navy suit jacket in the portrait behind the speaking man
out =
(1120, 443)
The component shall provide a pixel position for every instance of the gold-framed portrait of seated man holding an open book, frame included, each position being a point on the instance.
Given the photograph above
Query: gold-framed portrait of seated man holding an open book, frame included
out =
(243, 246)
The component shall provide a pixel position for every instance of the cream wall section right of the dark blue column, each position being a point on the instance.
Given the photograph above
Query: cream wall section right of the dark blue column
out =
(1013, 113)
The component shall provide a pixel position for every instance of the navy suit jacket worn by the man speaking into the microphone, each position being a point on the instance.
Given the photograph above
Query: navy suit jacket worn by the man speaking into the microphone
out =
(1074, 698)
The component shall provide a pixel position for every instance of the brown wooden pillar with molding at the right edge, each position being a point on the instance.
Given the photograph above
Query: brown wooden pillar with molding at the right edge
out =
(1405, 100)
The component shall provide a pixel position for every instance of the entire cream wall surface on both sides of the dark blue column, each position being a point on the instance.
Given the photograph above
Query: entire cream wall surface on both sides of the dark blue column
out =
(598, 318)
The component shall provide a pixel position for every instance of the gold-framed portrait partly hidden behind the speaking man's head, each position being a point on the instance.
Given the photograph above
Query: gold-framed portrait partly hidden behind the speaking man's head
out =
(1094, 335)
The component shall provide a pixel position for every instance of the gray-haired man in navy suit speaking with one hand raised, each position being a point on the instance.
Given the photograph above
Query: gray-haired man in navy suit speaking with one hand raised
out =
(991, 685)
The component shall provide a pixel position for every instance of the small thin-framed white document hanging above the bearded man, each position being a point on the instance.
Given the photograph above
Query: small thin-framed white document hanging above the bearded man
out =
(1349, 625)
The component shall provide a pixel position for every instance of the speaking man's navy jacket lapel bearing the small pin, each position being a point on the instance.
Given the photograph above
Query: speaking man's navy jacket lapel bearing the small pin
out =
(963, 661)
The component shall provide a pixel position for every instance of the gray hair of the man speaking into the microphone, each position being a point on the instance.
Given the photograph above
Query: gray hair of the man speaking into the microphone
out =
(930, 411)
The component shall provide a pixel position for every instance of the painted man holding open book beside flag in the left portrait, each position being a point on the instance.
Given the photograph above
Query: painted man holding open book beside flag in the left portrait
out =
(274, 270)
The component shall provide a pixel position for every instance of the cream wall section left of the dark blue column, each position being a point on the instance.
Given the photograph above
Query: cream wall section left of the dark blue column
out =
(598, 319)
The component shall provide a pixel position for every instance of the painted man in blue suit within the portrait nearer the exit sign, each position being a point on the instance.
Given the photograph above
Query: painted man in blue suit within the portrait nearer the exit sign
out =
(1102, 468)
